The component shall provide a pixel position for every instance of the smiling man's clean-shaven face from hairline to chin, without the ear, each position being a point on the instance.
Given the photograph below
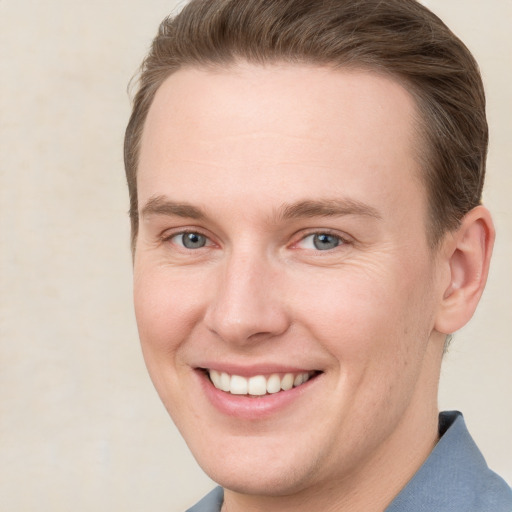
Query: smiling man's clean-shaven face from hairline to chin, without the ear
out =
(284, 289)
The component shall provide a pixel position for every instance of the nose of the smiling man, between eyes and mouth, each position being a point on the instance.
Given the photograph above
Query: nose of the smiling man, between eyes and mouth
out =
(247, 304)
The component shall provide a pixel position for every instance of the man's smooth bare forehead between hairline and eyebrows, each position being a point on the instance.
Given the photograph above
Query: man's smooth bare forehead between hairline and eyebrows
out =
(282, 129)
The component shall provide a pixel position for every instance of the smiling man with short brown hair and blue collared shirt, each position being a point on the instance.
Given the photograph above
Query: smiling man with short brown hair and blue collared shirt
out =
(305, 181)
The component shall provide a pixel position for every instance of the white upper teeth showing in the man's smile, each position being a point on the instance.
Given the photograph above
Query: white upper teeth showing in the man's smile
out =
(257, 385)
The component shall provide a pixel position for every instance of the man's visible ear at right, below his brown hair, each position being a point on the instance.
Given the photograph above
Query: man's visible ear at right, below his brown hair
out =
(466, 254)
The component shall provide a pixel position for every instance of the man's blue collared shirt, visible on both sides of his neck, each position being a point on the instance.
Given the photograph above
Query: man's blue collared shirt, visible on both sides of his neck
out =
(455, 478)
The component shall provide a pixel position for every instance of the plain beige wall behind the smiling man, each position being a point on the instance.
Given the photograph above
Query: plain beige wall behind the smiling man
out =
(80, 426)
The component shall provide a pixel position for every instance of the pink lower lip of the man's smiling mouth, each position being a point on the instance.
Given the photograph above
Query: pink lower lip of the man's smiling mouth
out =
(252, 408)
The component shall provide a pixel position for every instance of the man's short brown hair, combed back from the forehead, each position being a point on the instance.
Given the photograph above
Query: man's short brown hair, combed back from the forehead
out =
(400, 38)
